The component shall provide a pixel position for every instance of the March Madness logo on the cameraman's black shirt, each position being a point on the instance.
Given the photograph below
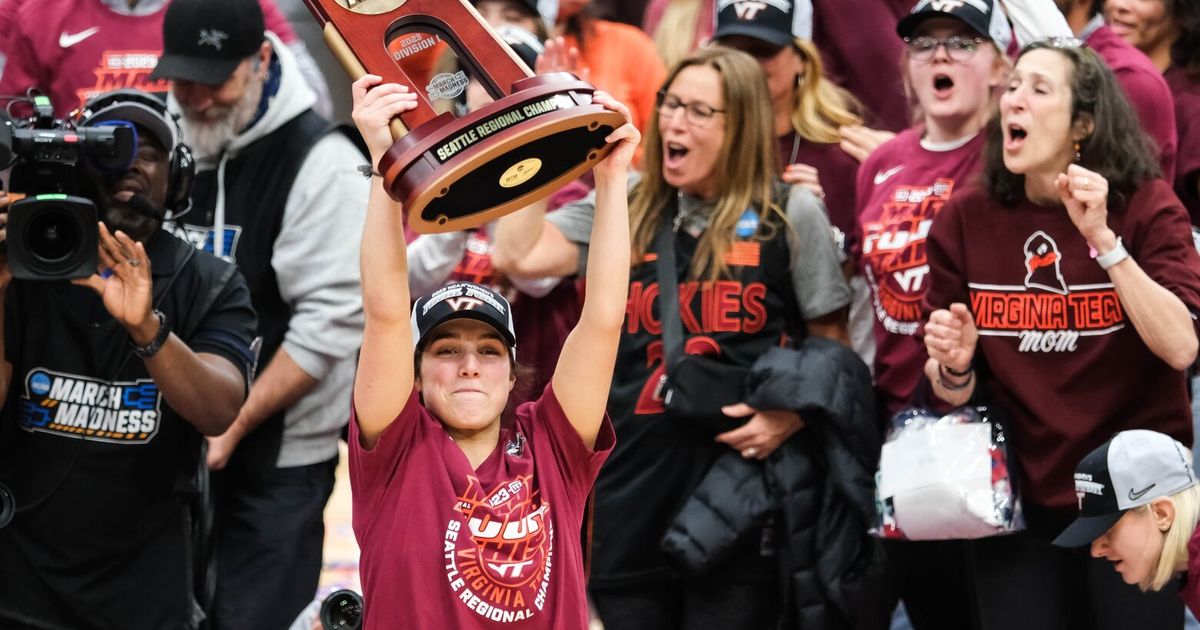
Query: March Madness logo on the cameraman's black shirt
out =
(65, 405)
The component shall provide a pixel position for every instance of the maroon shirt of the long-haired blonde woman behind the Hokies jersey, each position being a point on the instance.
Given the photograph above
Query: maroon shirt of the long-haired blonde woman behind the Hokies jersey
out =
(837, 172)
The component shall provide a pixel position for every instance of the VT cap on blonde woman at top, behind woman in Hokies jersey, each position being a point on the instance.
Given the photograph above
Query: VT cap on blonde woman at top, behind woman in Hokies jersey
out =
(776, 22)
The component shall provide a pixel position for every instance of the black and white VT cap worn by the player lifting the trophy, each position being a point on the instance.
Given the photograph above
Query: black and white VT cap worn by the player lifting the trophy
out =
(464, 299)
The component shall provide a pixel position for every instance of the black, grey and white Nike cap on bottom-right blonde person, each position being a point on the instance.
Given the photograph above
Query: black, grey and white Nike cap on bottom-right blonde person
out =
(1130, 471)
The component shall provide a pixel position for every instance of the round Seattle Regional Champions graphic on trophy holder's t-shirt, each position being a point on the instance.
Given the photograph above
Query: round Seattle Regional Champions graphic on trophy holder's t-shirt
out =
(500, 566)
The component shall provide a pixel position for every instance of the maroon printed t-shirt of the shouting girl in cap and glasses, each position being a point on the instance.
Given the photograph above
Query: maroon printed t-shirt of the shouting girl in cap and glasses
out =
(902, 188)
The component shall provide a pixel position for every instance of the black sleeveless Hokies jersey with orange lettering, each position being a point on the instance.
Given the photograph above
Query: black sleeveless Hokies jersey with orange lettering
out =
(657, 463)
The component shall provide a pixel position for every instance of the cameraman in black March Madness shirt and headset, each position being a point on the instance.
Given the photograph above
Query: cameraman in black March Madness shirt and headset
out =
(110, 385)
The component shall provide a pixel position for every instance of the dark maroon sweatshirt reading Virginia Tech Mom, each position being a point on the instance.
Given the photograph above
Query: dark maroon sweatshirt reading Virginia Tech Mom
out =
(1067, 365)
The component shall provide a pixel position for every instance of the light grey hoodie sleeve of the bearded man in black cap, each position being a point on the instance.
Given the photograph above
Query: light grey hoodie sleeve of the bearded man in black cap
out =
(316, 256)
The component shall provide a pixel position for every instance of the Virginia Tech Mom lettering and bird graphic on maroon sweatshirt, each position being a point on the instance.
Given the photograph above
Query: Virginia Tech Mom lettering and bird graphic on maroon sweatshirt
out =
(1045, 314)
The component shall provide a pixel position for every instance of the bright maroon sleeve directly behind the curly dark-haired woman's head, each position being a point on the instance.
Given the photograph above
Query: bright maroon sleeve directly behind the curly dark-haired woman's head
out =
(1147, 89)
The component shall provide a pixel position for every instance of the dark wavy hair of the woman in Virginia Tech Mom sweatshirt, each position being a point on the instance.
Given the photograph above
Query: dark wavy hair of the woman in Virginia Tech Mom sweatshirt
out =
(1117, 148)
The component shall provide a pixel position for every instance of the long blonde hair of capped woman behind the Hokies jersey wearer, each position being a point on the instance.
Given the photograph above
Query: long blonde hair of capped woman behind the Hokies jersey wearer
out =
(820, 106)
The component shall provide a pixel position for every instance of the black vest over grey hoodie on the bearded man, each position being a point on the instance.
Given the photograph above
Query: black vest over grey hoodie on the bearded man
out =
(257, 185)
